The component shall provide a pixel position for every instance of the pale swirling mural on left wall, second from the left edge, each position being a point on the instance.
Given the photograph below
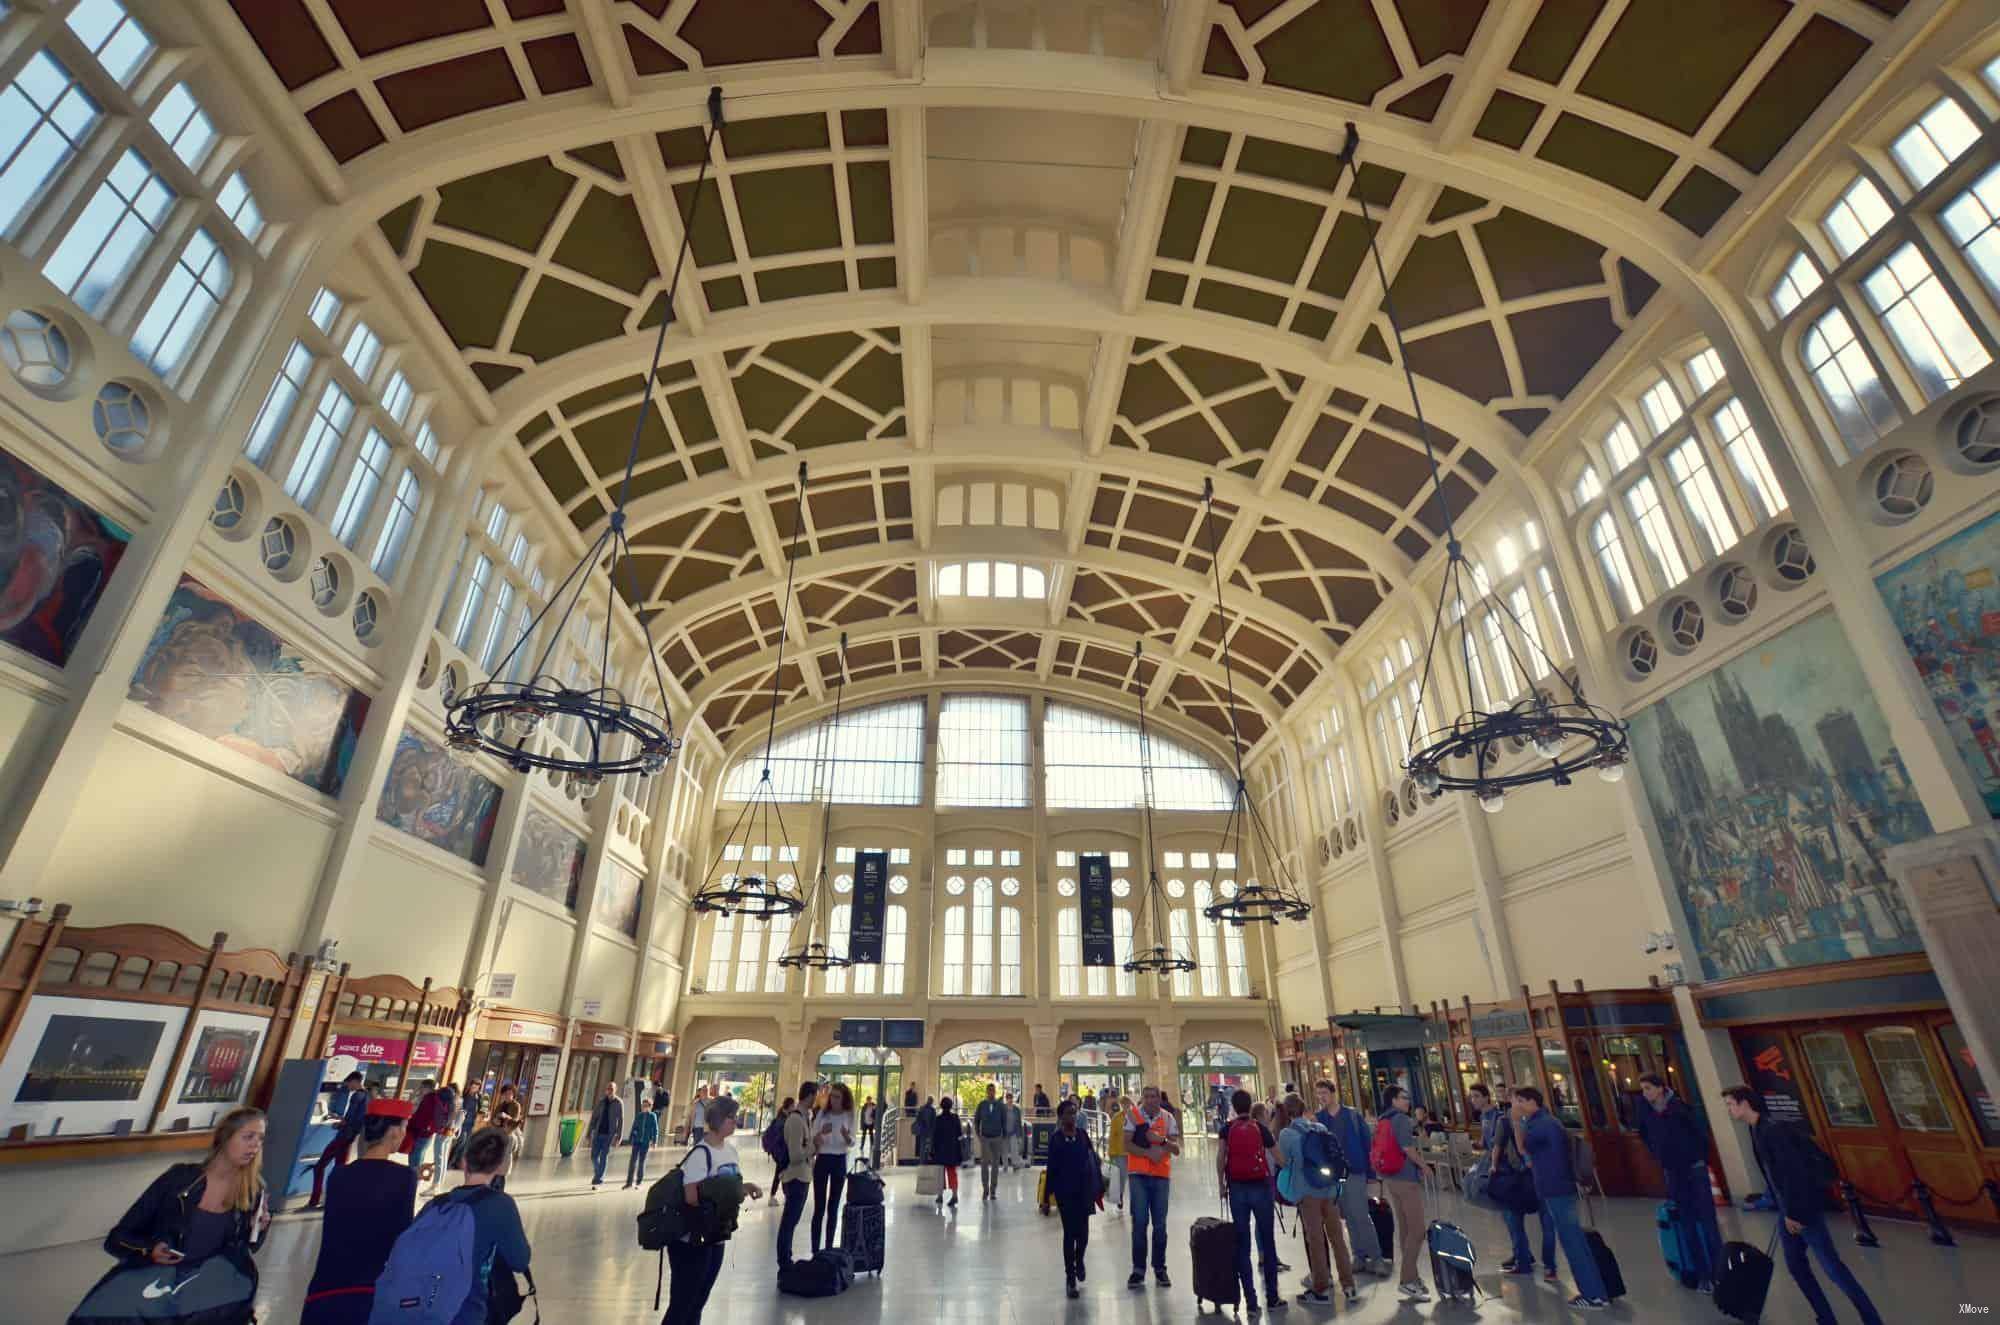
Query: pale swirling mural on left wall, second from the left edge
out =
(225, 678)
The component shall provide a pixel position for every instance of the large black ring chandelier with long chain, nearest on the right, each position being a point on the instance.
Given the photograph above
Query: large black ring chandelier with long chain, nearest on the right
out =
(1569, 736)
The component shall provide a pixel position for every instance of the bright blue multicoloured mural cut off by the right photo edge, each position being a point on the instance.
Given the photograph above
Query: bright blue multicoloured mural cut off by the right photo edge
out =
(1947, 605)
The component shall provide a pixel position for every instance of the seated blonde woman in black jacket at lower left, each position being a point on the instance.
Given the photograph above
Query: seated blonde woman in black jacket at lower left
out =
(193, 1212)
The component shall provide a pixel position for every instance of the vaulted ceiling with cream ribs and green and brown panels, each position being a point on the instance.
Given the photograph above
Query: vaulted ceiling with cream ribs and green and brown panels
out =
(1095, 251)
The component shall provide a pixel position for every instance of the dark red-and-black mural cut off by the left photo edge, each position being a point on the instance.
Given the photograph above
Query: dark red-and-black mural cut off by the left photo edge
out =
(55, 559)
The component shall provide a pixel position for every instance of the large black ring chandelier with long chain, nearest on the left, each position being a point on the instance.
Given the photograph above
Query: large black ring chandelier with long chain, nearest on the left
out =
(617, 736)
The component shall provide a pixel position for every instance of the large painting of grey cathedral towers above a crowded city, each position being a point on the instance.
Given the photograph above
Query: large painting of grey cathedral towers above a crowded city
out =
(1777, 792)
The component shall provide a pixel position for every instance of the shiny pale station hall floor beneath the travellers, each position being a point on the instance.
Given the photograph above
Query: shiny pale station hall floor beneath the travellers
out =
(997, 1264)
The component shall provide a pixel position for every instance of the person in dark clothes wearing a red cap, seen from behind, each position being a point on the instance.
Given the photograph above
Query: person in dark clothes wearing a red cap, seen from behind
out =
(369, 1204)
